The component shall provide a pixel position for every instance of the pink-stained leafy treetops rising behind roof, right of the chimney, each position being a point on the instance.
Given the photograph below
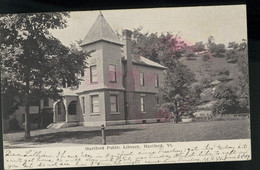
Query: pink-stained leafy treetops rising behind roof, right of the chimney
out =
(158, 48)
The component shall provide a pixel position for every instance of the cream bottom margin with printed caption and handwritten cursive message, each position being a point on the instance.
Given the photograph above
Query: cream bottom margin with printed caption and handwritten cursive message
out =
(133, 154)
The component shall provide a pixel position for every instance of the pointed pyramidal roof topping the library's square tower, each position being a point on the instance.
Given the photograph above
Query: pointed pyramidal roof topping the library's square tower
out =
(101, 30)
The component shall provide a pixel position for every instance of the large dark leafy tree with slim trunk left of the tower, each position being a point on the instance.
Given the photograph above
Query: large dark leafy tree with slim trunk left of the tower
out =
(33, 61)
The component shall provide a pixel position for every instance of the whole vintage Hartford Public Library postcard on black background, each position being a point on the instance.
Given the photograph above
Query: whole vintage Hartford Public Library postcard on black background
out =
(125, 87)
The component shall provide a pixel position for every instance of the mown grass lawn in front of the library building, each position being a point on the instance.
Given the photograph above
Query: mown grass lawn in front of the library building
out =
(138, 133)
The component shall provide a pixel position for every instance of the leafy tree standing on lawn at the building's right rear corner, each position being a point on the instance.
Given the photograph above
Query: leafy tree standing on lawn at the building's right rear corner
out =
(176, 94)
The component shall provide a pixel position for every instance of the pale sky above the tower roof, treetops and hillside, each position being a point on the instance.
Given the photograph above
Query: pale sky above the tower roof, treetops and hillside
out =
(225, 23)
